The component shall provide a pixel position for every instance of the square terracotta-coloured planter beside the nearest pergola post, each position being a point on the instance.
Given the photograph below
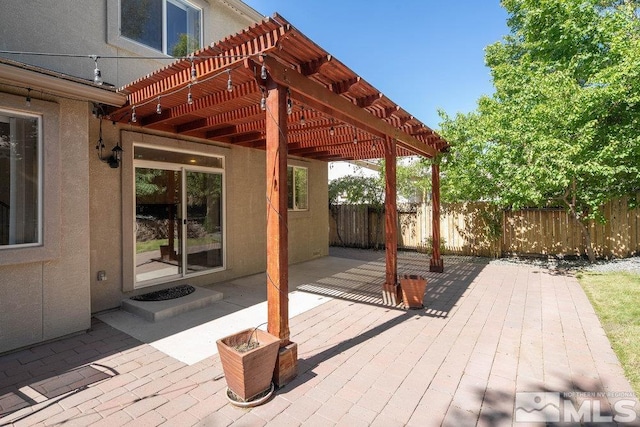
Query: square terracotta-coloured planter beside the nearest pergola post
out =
(248, 373)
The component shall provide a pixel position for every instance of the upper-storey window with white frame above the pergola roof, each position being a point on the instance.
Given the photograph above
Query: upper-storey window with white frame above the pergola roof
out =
(173, 27)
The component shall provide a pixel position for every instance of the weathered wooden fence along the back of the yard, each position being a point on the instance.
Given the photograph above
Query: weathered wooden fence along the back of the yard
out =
(480, 229)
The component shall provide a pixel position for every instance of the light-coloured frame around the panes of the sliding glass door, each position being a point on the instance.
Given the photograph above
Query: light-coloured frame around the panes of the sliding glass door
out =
(182, 169)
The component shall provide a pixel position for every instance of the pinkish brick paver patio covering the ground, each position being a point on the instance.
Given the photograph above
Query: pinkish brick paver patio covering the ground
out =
(487, 332)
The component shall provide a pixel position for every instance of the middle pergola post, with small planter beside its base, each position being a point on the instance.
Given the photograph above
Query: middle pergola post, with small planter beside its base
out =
(390, 290)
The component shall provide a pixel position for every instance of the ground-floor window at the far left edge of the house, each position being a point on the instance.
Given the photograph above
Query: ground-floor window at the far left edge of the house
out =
(20, 184)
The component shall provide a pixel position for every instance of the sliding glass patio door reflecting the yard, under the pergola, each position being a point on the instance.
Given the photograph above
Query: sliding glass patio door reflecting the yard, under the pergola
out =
(179, 221)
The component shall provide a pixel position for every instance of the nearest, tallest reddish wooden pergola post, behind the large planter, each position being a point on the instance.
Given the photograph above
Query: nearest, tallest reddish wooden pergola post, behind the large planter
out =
(277, 236)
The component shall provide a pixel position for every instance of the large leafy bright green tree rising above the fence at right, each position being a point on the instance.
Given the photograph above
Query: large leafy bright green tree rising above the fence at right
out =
(563, 127)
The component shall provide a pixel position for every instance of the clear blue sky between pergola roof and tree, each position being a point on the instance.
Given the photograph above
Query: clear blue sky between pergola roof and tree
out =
(422, 54)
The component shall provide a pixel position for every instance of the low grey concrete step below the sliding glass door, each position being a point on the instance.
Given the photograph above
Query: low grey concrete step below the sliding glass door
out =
(154, 311)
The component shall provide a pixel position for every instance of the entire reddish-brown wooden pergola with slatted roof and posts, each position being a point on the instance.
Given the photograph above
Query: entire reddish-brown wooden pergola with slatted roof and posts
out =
(270, 87)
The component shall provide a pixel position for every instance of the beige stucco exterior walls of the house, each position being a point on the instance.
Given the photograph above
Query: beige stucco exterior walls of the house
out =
(51, 291)
